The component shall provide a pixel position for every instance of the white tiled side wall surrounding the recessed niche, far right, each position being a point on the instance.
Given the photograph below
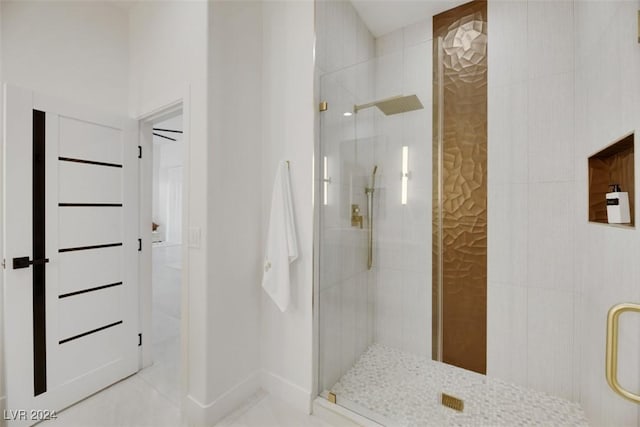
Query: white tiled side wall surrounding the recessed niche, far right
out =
(607, 271)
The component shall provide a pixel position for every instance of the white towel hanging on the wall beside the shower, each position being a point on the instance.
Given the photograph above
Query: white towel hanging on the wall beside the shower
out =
(282, 243)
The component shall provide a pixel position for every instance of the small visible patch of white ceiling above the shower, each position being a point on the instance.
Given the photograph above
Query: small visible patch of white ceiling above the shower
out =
(385, 16)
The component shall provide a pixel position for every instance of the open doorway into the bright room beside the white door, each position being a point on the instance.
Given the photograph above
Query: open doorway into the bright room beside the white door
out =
(163, 147)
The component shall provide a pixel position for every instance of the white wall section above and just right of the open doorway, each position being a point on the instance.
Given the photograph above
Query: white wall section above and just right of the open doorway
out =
(168, 62)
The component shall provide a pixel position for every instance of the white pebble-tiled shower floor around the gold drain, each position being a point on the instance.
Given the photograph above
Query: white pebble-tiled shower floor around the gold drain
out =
(404, 390)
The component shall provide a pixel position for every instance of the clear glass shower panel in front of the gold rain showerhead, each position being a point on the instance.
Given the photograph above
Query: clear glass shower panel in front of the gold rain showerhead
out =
(374, 228)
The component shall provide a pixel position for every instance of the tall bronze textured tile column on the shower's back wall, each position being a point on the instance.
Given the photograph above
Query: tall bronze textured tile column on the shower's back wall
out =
(460, 186)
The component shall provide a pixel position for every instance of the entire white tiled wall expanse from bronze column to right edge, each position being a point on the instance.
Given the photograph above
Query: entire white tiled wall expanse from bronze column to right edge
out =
(563, 83)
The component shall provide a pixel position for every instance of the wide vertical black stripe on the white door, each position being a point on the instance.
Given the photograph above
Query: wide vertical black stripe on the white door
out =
(39, 294)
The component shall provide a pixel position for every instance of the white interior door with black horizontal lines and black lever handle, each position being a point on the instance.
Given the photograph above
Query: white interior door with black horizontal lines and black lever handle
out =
(71, 247)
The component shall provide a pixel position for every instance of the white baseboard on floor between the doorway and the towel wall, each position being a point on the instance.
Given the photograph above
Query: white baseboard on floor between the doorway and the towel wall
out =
(200, 414)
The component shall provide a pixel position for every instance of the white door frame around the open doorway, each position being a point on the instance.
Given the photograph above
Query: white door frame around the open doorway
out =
(180, 102)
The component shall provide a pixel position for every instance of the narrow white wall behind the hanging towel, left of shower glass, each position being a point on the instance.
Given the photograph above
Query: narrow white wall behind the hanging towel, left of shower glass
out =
(287, 128)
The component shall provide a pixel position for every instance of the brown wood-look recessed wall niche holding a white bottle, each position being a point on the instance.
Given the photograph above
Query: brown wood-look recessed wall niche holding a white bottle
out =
(612, 165)
